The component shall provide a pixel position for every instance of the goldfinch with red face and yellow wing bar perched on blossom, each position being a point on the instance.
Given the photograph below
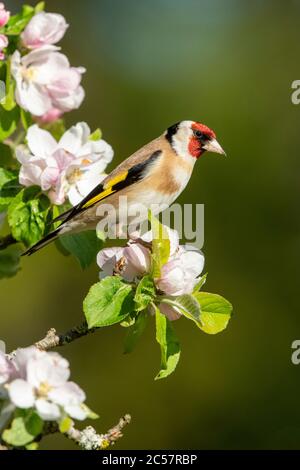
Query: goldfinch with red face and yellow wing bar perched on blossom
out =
(155, 174)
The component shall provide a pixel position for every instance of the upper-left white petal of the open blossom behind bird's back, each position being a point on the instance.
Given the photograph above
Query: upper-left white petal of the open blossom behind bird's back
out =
(41, 142)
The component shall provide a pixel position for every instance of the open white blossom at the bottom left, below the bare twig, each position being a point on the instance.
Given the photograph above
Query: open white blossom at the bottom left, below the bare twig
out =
(39, 379)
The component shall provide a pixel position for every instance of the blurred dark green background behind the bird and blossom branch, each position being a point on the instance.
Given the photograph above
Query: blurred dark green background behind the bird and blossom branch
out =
(229, 64)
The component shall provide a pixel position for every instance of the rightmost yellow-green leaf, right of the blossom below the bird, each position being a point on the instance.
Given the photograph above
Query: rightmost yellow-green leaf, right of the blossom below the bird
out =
(215, 312)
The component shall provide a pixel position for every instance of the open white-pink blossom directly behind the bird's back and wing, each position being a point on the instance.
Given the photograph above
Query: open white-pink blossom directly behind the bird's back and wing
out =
(69, 168)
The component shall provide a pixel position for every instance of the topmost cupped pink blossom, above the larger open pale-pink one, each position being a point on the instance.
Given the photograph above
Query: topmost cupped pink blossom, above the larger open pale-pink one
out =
(44, 28)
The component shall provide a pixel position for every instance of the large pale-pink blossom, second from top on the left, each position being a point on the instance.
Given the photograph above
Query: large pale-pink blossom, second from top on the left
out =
(45, 80)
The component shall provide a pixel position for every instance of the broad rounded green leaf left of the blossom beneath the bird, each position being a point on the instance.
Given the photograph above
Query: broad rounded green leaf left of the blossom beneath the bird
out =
(108, 302)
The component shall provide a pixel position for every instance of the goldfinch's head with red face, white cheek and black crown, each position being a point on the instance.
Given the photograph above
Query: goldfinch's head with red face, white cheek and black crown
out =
(190, 139)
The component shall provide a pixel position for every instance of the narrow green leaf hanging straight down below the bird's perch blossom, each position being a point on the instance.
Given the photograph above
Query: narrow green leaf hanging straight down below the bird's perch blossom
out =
(169, 345)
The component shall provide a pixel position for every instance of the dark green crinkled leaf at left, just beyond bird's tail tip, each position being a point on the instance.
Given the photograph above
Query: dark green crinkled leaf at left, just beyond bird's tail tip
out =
(27, 215)
